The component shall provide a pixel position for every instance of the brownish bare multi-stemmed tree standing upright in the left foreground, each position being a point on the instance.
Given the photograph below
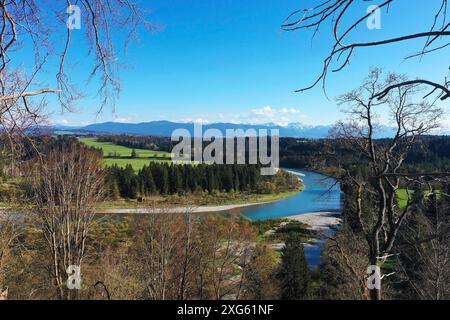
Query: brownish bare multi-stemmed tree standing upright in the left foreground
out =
(66, 185)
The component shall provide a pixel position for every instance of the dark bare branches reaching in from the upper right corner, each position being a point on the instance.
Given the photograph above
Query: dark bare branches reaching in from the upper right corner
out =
(342, 13)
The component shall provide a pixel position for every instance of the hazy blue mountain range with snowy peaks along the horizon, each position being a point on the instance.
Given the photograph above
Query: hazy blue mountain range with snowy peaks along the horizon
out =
(165, 129)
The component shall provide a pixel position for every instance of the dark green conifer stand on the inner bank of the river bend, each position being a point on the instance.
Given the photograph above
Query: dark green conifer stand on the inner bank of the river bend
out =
(164, 179)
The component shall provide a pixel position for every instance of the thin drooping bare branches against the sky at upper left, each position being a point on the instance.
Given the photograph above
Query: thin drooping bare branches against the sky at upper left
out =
(43, 29)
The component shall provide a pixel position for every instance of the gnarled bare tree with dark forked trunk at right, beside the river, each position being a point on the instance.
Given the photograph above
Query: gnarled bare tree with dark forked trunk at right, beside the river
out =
(383, 160)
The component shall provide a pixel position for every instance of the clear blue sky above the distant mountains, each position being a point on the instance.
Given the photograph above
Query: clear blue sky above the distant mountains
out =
(228, 60)
